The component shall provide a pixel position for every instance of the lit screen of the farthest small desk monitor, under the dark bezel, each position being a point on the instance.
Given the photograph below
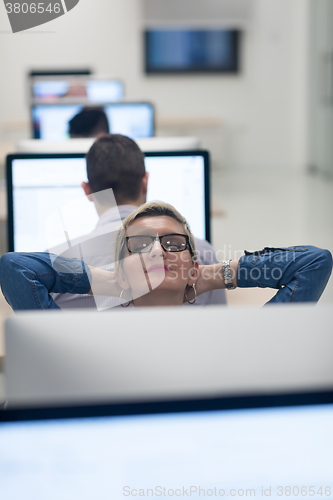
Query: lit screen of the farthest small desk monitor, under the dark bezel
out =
(92, 89)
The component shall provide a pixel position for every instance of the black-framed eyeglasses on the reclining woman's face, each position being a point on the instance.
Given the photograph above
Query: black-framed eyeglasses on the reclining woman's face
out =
(173, 242)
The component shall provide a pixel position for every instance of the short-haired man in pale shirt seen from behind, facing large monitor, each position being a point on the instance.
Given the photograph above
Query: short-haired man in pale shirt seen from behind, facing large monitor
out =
(115, 162)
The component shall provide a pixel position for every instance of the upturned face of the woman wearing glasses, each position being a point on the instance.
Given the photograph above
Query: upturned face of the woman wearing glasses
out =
(156, 269)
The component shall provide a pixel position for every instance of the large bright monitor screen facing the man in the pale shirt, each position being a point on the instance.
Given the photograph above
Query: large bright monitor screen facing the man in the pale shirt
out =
(40, 184)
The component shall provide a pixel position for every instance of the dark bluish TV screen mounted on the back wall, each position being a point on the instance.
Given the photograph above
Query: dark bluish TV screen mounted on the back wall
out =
(189, 50)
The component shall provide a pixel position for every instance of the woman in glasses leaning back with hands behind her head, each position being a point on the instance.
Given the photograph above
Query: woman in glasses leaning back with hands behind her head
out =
(156, 265)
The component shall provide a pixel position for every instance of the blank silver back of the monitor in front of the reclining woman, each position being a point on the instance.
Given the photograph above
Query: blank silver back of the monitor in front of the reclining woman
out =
(142, 354)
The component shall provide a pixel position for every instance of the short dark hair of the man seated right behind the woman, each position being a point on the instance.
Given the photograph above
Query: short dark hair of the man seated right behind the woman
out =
(115, 161)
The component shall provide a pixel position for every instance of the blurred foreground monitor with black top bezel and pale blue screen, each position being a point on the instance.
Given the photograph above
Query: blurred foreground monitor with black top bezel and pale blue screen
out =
(228, 447)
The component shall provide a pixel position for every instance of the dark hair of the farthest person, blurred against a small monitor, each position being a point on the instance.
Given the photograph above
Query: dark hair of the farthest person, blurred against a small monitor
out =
(89, 123)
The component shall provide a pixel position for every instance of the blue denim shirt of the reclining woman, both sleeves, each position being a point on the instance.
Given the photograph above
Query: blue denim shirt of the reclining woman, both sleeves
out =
(300, 274)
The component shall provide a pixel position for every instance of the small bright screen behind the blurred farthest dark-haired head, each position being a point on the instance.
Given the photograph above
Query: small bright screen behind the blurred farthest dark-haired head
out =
(134, 119)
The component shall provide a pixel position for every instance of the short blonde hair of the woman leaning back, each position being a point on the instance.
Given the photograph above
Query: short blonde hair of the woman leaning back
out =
(153, 209)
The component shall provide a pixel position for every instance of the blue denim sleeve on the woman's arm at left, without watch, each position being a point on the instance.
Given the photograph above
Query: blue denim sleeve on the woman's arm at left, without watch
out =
(27, 279)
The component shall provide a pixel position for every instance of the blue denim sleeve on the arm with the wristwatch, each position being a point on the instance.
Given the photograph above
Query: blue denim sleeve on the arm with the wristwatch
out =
(300, 273)
